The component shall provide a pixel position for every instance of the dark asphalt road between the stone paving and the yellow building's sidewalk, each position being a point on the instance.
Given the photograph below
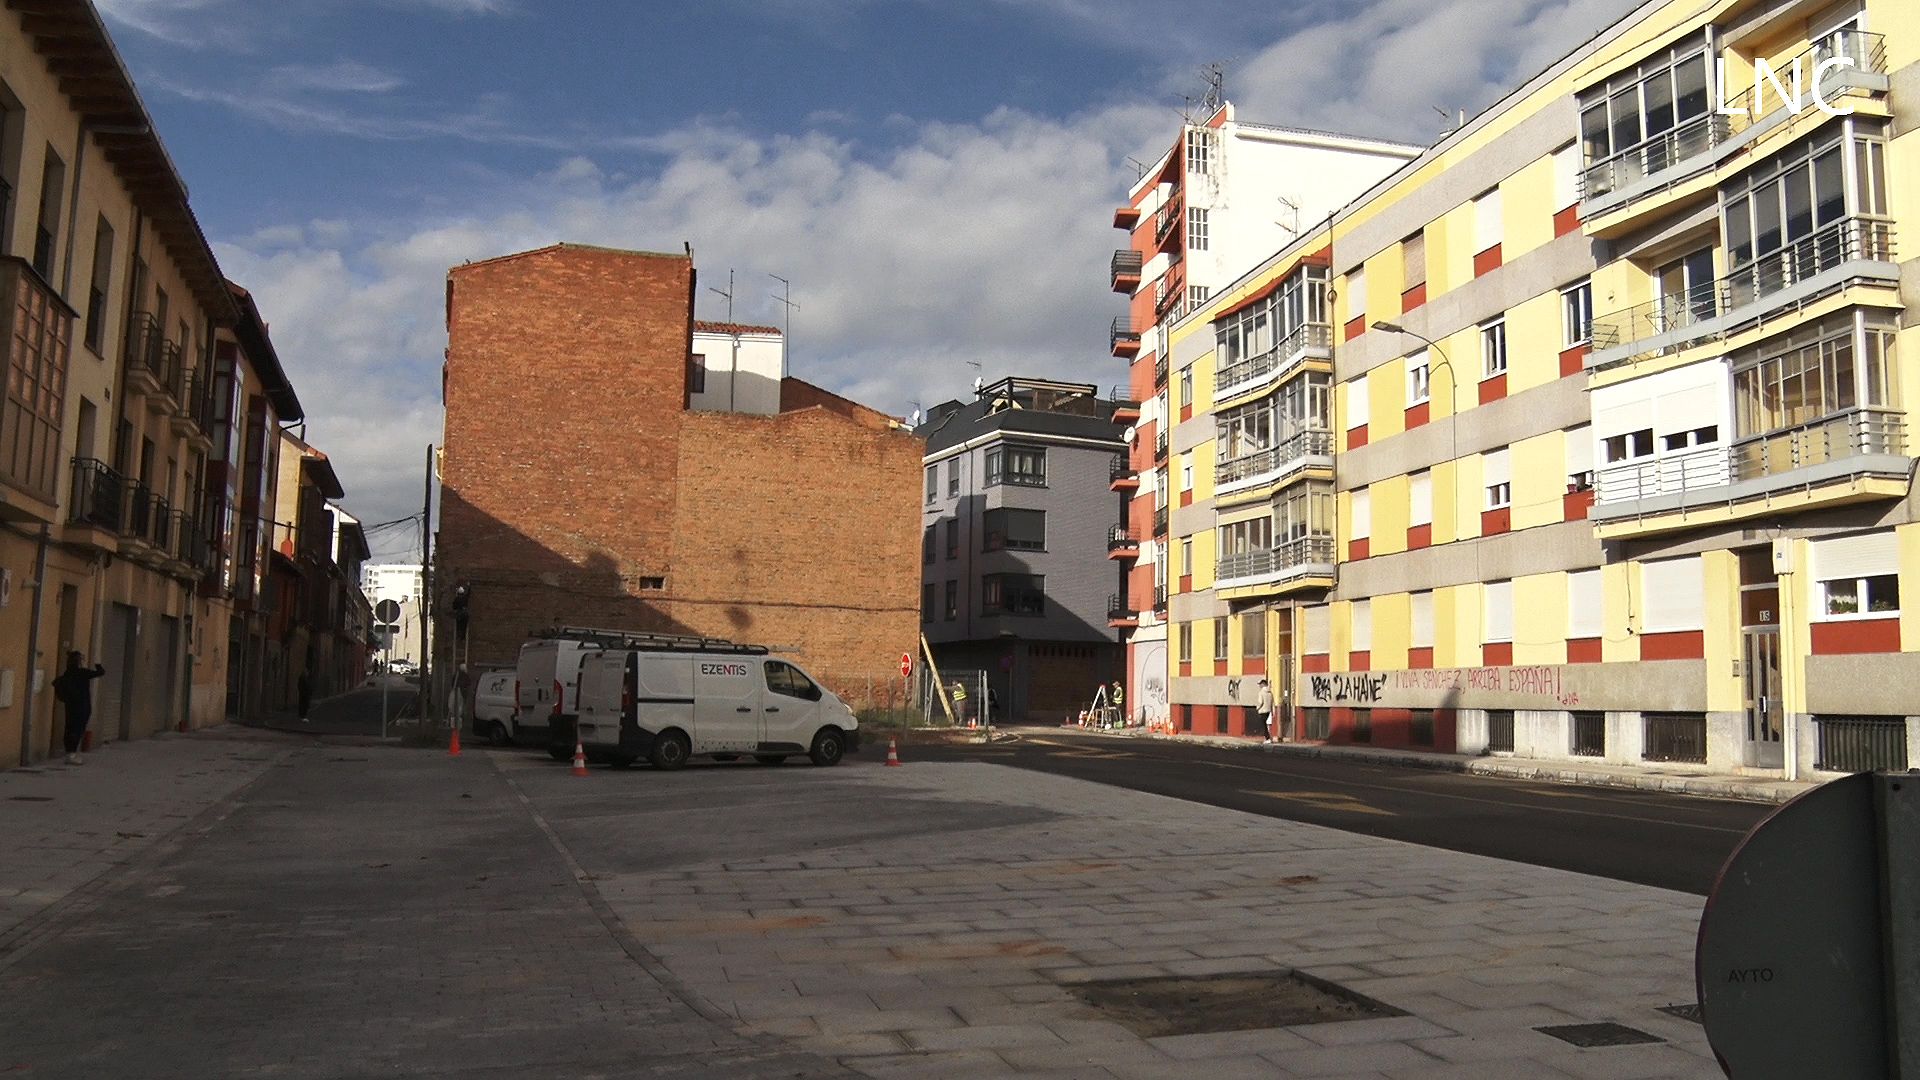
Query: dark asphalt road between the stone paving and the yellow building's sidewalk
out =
(1650, 839)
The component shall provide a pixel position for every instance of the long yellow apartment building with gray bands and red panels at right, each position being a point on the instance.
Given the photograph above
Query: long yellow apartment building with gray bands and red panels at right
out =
(1620, 460)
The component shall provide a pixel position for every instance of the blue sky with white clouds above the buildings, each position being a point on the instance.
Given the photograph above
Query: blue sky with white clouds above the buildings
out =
(934, 176)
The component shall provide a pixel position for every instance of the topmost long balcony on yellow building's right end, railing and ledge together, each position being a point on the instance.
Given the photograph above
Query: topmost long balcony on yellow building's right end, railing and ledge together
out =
(1838, 64)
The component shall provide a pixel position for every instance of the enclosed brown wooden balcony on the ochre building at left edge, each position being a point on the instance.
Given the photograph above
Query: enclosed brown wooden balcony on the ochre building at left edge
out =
(36, 339)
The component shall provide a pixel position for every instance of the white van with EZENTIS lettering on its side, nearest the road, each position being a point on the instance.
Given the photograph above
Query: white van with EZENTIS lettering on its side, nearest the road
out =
(669, 706)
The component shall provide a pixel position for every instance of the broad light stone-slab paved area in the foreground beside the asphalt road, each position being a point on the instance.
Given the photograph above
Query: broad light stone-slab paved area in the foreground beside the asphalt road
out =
(996, 891)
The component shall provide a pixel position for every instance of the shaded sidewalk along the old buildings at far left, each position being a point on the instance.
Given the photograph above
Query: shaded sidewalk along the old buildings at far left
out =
(72, 827)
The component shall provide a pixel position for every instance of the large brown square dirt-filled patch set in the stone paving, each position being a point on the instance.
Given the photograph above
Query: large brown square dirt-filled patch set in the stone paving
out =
(1193, 1006)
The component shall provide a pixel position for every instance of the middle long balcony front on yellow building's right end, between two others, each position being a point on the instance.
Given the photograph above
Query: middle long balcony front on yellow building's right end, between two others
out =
(1856, 251)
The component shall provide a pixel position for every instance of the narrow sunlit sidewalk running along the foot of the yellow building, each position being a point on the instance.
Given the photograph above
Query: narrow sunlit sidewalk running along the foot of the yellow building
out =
(1671, 779)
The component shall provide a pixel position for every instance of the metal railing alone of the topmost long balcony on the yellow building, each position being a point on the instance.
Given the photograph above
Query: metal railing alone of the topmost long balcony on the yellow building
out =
(1694, 139)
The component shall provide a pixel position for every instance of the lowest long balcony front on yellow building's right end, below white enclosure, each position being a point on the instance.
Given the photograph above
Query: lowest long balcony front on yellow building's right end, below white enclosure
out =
(1852, 456)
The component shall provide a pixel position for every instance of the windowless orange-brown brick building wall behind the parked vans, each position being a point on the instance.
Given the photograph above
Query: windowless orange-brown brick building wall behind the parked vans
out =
(581, 487)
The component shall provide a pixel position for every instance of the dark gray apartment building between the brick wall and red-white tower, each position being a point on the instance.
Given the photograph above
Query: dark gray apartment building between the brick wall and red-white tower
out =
(1015, 558)
